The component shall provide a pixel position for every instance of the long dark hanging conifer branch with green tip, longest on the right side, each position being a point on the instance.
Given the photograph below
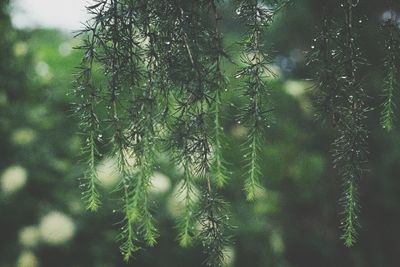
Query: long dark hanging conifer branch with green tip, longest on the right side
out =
(350, 146)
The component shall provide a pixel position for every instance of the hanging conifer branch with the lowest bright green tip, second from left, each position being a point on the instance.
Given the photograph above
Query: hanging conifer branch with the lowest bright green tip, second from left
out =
(114, 69)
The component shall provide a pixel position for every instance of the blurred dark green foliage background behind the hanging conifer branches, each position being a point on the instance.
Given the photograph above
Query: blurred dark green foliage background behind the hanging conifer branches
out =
(293, 223)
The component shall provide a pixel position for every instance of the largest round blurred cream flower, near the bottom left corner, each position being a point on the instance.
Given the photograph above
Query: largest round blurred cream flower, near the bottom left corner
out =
(56, 228)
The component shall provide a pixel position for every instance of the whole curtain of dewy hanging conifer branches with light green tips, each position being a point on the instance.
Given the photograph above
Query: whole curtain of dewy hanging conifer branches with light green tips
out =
(152, 81)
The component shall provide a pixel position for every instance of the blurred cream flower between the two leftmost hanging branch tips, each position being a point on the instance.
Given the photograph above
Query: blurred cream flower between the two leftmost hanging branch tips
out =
(107, 172)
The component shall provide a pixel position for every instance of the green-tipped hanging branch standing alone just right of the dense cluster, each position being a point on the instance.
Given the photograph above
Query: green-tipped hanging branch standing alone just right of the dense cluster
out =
(256, 15)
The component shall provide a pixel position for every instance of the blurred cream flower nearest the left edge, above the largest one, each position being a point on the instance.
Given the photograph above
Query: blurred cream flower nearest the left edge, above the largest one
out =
(13, 179)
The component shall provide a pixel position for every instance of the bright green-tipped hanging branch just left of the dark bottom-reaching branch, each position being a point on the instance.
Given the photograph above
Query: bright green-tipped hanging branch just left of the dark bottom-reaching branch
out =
(183, 131)
